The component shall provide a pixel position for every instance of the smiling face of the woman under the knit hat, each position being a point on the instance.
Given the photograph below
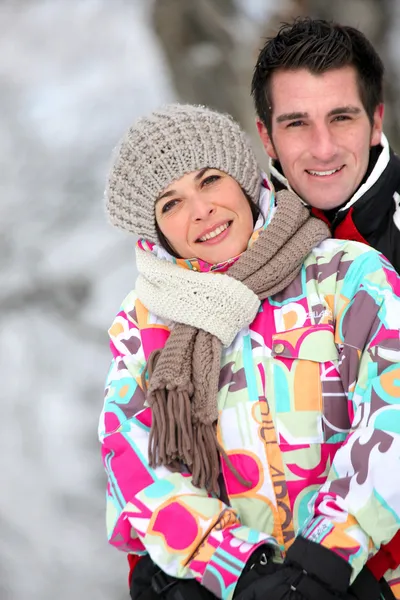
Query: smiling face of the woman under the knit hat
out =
(205, 215)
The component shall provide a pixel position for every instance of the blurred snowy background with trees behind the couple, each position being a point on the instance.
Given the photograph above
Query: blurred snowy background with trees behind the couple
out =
(74, 74)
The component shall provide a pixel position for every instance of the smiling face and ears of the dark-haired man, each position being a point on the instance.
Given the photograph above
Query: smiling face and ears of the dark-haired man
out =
(321, 133)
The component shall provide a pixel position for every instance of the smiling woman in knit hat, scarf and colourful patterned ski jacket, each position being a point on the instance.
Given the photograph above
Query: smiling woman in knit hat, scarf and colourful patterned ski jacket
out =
(252, 410)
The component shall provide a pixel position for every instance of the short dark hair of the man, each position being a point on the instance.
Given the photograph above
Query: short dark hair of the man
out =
(319, 46)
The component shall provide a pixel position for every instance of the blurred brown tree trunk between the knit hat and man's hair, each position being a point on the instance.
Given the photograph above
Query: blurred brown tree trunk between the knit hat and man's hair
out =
(209, 47)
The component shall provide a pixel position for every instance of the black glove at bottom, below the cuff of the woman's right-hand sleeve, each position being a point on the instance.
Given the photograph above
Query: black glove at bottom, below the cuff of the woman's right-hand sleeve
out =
(310, 572)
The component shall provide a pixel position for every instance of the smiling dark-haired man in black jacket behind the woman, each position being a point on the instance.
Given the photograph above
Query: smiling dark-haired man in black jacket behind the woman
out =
(317, 88)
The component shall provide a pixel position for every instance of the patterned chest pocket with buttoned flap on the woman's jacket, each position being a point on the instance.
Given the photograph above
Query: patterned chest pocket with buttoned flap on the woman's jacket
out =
(310, 403)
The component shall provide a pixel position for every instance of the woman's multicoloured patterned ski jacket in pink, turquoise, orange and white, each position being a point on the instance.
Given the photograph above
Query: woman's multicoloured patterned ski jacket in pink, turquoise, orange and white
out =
(309, 412)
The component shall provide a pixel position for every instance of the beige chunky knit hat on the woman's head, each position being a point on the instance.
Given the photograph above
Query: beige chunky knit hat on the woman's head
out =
(164, 146)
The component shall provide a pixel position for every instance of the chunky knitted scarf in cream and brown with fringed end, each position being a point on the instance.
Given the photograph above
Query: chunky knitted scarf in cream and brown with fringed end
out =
(209, 310)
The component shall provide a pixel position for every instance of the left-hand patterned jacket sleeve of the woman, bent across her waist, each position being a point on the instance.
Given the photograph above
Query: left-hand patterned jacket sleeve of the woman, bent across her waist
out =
(187, 533)
